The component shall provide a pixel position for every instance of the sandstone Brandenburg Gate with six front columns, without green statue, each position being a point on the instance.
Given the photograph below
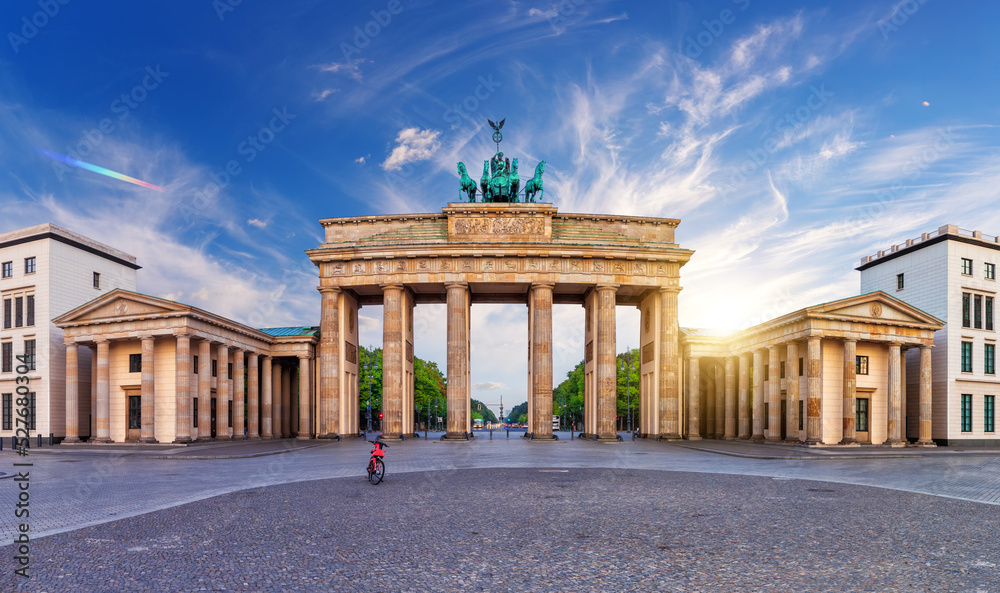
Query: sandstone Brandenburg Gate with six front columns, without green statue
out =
(499, 252)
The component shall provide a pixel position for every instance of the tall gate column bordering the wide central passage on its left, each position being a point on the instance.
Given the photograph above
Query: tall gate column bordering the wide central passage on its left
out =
(457, 397)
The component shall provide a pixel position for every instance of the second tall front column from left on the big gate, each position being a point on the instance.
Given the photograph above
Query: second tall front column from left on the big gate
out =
(392, 361)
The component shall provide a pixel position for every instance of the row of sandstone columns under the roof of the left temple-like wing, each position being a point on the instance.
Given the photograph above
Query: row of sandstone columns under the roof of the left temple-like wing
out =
(264, 406)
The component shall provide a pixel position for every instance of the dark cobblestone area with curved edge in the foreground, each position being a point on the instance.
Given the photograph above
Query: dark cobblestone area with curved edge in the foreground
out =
(535, 530)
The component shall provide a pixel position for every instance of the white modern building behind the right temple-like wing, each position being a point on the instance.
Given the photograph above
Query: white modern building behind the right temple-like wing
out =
(950, 273)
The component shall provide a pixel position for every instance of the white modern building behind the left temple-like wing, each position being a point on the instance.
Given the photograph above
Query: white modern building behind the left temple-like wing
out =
(46, 270)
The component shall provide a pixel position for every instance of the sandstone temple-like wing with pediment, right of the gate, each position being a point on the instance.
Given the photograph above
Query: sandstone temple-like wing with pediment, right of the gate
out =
(830, 374)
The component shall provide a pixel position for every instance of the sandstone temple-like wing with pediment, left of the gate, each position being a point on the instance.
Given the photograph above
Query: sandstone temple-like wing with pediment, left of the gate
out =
(159, 371)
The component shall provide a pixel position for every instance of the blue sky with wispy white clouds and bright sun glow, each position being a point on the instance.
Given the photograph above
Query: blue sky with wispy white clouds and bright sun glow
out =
(791, 139)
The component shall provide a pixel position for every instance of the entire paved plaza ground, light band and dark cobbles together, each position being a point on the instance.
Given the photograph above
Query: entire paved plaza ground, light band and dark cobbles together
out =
(509, 515)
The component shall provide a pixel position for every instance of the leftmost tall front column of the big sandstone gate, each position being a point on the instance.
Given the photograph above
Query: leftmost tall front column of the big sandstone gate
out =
(328, 420)
